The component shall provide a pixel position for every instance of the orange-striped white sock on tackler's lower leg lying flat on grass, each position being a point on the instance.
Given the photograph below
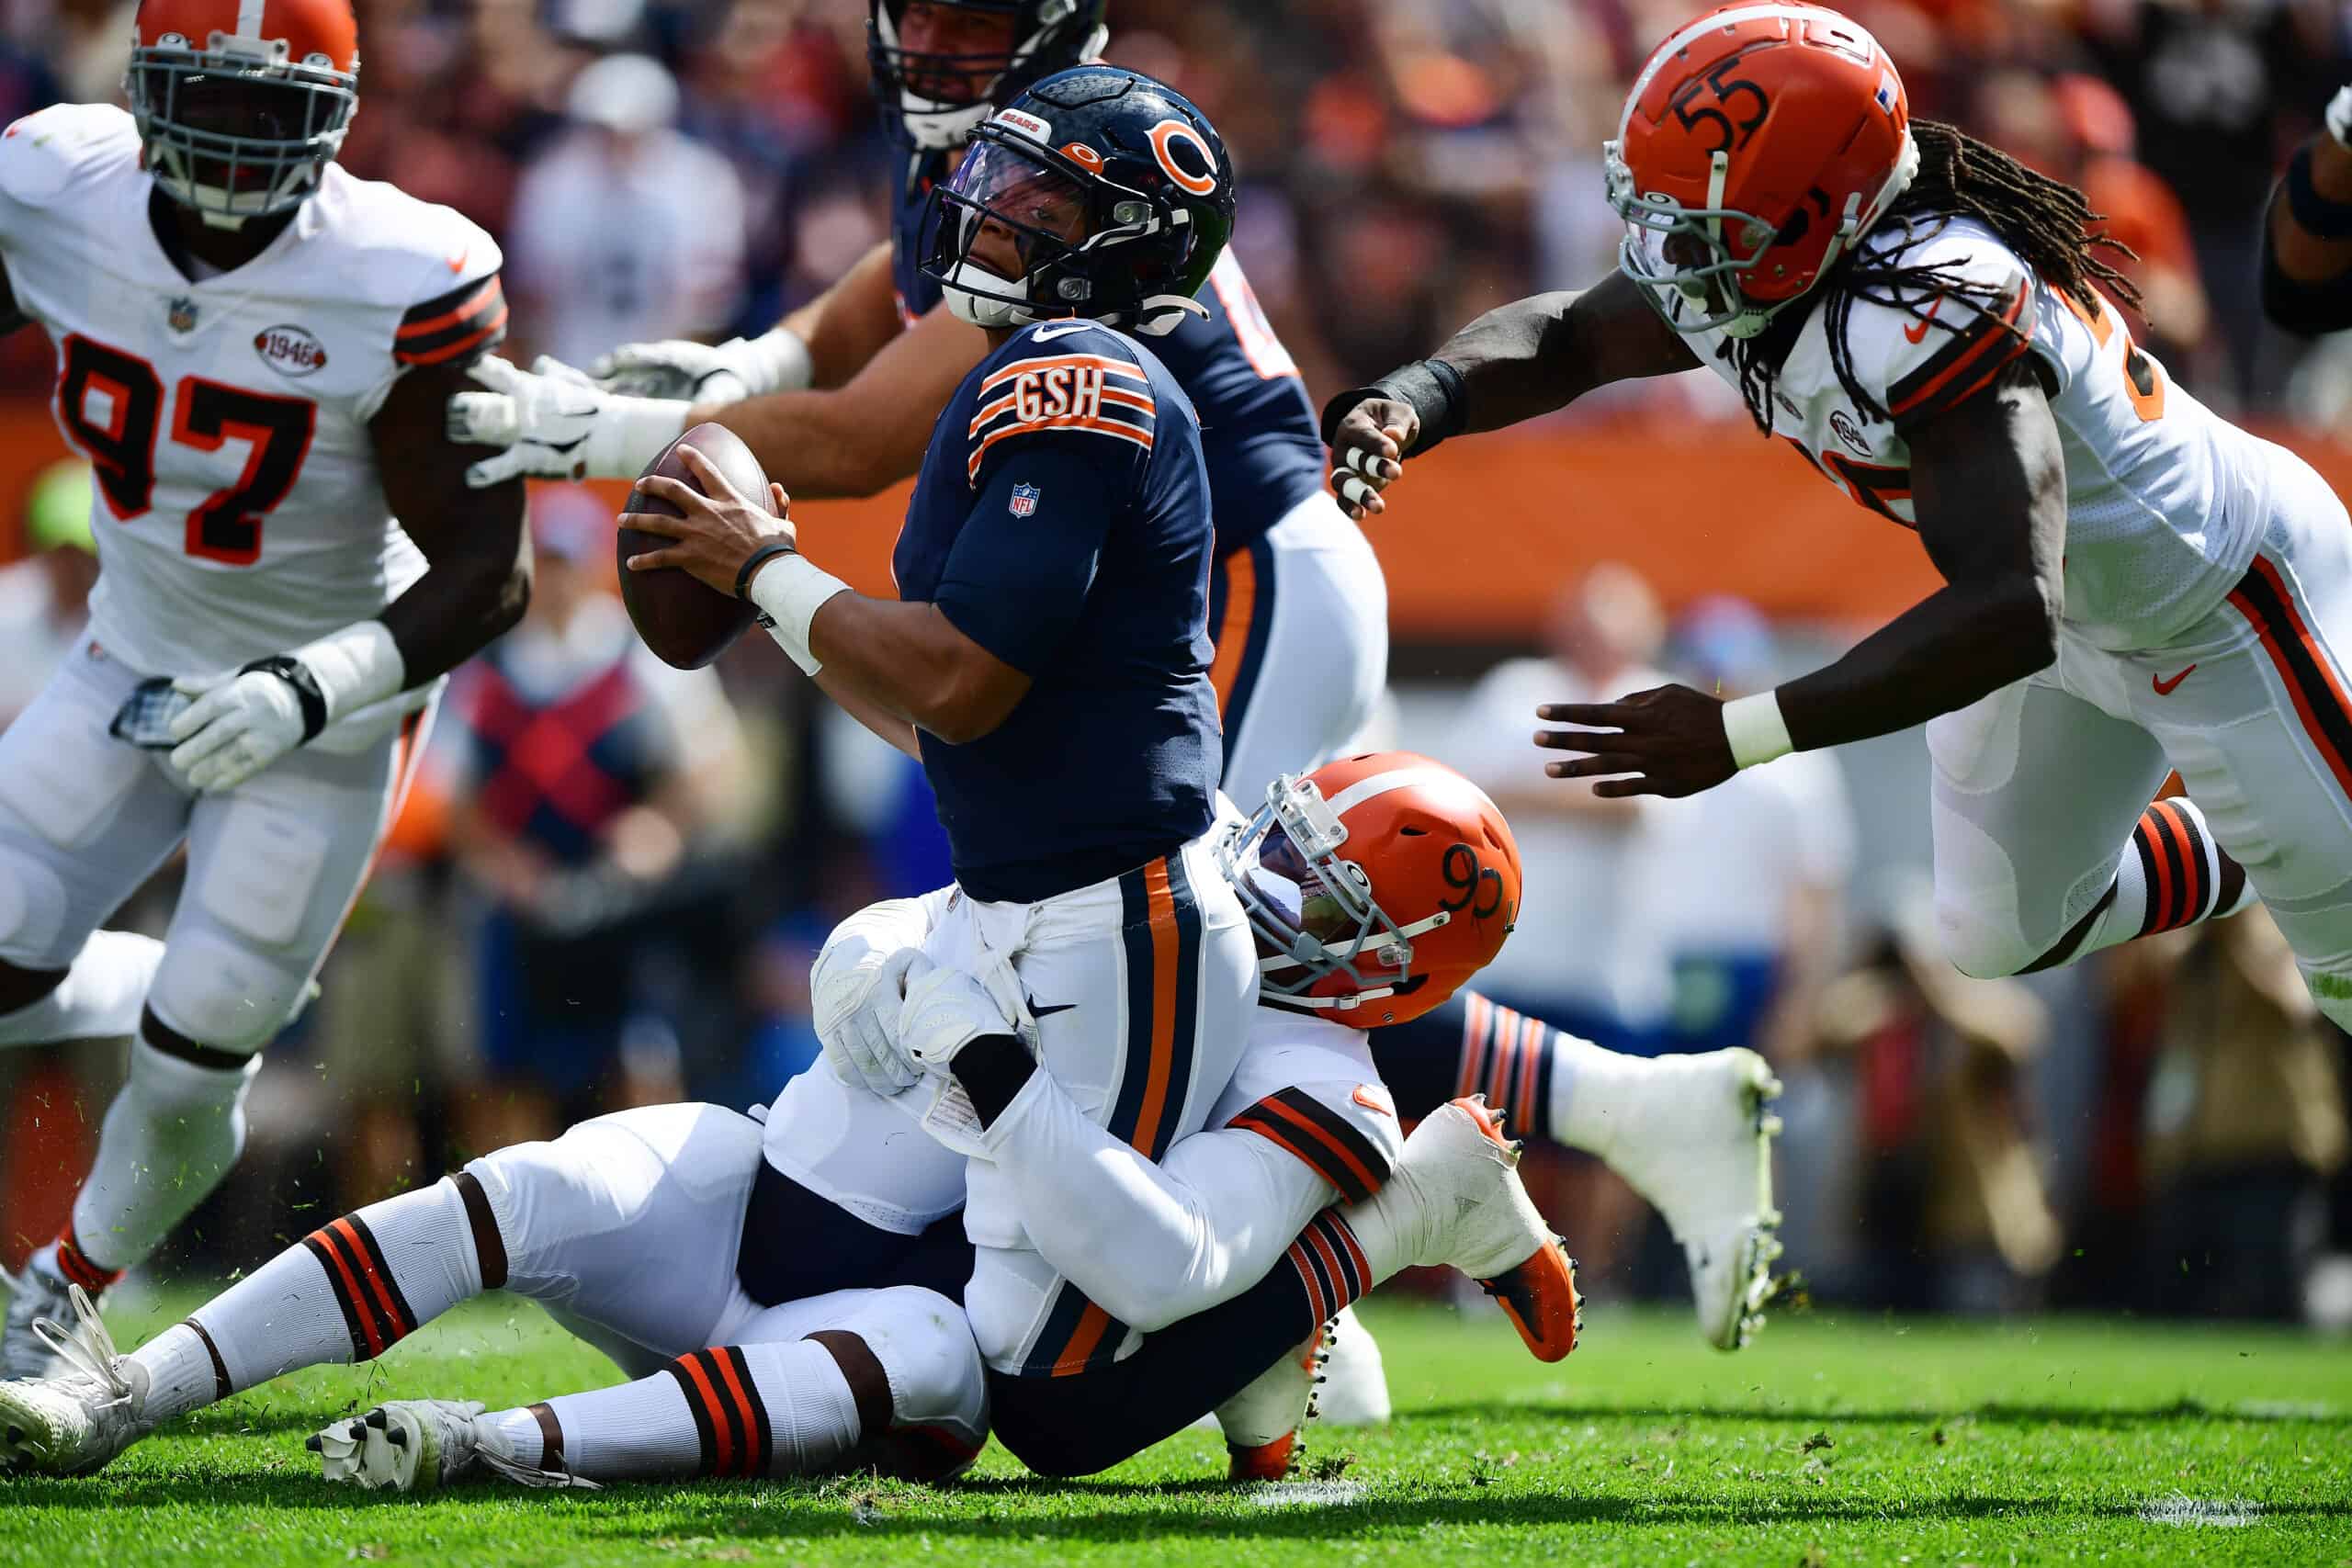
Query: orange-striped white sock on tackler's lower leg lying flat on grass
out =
(733, 1412)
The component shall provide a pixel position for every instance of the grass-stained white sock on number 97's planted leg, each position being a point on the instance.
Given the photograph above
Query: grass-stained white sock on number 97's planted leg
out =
(166, 1144)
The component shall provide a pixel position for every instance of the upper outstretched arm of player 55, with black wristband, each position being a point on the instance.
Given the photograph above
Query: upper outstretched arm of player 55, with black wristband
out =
(1504, 368)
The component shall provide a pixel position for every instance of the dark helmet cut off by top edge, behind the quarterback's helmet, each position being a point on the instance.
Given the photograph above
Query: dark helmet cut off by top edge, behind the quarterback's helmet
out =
(942, 65)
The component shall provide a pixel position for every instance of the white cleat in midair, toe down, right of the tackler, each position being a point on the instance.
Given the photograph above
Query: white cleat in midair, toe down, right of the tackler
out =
(1697, 1146)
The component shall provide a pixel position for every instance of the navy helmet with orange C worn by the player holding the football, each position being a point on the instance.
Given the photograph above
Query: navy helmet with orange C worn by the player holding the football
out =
(1114, 192)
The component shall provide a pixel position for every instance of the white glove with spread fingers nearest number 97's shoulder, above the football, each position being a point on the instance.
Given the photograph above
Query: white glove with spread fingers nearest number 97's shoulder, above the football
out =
(556, 424)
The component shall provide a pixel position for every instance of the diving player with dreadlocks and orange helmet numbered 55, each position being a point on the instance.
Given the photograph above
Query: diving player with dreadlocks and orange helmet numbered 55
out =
(2132, 584)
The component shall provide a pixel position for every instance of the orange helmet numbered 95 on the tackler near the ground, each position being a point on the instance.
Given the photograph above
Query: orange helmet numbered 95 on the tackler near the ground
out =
(1377, 887)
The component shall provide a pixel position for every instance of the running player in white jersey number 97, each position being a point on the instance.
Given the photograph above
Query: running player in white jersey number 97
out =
(255, 351)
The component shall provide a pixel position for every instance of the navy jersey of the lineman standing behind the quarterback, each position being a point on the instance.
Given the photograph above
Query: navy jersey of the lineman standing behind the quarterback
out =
(1257, 427)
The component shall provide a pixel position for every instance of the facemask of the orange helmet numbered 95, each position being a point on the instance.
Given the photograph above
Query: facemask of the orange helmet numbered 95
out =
(1316, 913)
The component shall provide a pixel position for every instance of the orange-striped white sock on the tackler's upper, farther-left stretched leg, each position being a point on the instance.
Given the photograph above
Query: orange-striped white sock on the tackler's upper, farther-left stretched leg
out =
(347, 1292)
